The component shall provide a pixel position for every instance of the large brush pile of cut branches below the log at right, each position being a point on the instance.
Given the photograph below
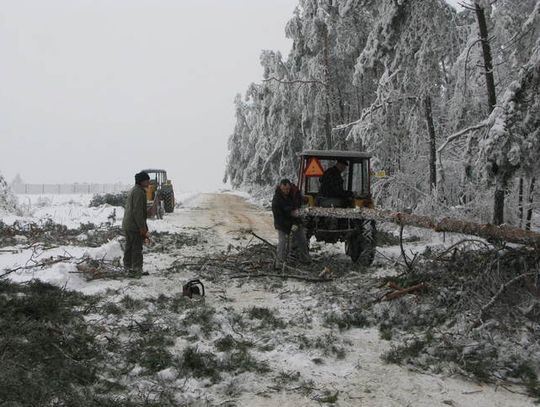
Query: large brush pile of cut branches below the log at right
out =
(476, 300)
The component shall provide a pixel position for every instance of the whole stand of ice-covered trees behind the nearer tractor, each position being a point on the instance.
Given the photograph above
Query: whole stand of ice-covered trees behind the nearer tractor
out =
(403, 79)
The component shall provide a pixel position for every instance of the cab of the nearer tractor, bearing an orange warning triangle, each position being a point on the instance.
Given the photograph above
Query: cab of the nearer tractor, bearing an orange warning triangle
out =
(314, 163)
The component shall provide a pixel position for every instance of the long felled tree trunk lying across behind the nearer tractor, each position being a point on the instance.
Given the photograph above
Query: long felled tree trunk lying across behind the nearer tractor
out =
(487, 231)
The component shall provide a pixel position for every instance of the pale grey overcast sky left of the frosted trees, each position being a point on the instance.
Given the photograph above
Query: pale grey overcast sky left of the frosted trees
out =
(95, 90)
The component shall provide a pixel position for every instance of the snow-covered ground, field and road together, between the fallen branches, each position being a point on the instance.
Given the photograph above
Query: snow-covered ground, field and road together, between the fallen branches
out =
(352, 375)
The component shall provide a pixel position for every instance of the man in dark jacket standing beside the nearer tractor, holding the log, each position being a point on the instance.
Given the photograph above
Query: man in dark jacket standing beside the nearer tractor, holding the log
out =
(285, 204)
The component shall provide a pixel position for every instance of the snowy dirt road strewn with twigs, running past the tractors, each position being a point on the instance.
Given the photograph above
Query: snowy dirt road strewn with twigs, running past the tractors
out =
(309, 361)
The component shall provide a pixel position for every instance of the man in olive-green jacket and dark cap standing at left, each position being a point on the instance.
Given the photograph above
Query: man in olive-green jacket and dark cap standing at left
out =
(134, 224)
